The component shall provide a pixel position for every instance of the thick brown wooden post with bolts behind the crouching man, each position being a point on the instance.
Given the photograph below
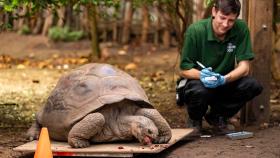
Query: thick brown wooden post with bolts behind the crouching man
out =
(260, 23)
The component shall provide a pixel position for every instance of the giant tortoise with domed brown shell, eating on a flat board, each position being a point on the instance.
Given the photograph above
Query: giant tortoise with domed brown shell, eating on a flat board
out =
(99, 103)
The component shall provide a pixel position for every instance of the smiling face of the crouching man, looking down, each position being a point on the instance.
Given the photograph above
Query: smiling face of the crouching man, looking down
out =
(222, 23)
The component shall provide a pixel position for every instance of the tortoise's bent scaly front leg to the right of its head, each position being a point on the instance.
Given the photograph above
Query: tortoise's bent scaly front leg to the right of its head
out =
(162, 125)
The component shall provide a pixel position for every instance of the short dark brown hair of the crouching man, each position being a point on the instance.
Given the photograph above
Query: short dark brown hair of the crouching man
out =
(228, 6)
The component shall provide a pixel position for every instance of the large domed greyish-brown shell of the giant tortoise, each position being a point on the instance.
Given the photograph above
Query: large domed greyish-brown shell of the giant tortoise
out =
(85, 90)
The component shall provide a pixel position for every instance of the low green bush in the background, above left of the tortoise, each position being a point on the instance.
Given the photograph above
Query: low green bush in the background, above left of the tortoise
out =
(64, 34)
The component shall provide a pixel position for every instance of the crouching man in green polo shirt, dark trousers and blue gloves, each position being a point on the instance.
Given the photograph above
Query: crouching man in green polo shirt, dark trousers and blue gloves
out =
(222, 44)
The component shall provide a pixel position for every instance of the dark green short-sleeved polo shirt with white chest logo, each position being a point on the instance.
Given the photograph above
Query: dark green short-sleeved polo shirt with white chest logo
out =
(202, 45)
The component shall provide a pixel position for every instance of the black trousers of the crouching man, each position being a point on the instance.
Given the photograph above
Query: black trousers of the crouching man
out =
(225, 100)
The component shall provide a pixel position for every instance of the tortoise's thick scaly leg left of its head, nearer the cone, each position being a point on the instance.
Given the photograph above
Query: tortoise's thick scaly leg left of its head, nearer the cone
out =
(80, 134)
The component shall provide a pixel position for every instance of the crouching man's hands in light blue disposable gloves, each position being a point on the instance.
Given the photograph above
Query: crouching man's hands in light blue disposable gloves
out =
(211, 79)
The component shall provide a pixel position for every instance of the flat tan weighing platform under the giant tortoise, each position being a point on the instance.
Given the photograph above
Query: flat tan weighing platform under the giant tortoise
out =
(107, 150)
